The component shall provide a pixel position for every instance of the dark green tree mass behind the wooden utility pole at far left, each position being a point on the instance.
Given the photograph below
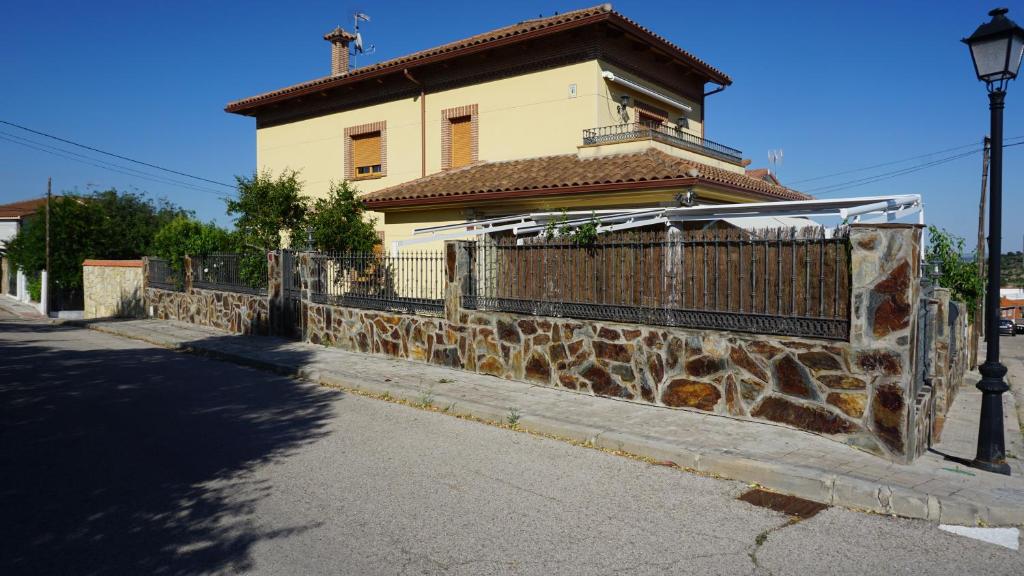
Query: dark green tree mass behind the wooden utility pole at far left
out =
(106, 225)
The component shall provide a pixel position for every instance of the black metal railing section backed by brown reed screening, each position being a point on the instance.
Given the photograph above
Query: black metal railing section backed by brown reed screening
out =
(786, 282)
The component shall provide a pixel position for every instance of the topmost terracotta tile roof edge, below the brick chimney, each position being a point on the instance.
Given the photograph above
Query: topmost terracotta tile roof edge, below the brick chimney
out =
(480, 39)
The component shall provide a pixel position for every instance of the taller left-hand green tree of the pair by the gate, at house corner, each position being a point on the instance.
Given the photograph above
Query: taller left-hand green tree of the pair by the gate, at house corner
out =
(267, 208)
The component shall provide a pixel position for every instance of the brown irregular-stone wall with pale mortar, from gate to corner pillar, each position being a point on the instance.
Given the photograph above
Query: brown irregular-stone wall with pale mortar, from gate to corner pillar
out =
(857, 392)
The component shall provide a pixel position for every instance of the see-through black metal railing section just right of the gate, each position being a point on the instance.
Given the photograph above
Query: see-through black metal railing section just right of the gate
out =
(412, 282)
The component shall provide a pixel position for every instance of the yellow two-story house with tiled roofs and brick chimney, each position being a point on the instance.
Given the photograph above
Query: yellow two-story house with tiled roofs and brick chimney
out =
(586, 110)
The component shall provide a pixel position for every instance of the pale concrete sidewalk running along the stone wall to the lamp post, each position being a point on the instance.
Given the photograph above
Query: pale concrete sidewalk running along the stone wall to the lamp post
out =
(777, 458)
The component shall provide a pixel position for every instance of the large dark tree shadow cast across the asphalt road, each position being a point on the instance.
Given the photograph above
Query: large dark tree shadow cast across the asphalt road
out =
(131, 460)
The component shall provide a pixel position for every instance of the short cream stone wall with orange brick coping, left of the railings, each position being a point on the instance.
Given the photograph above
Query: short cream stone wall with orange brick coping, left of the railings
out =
(112, 289)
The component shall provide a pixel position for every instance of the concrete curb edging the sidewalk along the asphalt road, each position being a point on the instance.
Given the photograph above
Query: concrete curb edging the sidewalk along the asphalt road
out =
(807, 483)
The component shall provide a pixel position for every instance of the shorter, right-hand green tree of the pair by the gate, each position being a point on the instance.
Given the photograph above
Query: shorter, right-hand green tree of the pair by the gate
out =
(338, 223)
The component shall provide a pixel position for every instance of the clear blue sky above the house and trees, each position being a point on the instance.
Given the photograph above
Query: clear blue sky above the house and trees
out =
(837, 86)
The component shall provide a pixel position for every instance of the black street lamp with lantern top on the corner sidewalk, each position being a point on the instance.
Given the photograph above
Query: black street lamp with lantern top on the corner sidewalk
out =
(997, 49)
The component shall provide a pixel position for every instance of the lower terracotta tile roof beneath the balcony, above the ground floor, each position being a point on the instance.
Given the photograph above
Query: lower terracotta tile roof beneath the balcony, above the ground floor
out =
(569, 174)
